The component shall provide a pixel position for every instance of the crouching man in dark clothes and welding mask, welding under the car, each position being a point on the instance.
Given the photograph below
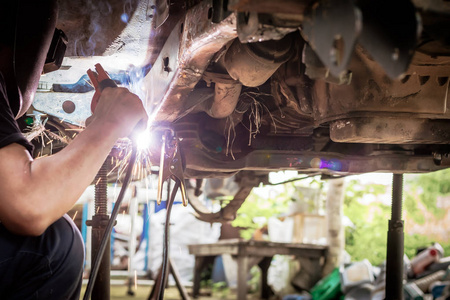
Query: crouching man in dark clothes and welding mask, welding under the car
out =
(41, 250)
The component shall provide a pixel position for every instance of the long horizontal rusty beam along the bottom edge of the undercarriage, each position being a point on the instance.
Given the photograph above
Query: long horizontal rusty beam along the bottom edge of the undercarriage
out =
(199, 162)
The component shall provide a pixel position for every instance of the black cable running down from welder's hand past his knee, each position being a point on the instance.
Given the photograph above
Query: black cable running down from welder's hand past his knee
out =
(108, 230)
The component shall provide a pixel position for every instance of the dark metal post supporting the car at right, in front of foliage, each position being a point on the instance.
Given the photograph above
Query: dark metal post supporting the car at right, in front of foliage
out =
(395, 252)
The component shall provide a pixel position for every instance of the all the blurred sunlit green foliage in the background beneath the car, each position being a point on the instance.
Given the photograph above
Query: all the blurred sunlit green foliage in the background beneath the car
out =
(368, 237)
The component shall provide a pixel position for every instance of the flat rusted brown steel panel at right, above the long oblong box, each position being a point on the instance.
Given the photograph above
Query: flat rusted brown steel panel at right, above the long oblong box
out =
(422, 92)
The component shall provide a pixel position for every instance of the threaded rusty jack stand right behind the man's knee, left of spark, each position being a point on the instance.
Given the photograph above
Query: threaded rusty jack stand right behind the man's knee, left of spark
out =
(101, 289)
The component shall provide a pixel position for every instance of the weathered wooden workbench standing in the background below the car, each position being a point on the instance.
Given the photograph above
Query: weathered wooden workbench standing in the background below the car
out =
(246, 250)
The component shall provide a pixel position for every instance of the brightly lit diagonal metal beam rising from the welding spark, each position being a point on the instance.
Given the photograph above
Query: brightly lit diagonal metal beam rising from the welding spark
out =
(183, 59)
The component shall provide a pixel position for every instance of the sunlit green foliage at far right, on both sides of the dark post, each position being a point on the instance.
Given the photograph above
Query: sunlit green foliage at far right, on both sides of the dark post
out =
(368, 237)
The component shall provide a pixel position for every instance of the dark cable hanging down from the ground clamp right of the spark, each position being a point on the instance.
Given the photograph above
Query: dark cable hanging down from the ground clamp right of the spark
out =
(165, 260)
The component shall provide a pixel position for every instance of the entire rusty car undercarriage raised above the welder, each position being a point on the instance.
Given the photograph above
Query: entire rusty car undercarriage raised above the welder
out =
(321, 87)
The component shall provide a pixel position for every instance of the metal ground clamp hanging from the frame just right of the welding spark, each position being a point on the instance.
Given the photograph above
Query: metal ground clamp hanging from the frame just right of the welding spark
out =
(171, 165)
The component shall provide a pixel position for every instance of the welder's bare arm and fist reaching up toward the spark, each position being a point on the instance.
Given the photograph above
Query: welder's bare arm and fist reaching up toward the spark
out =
(35, 193)
